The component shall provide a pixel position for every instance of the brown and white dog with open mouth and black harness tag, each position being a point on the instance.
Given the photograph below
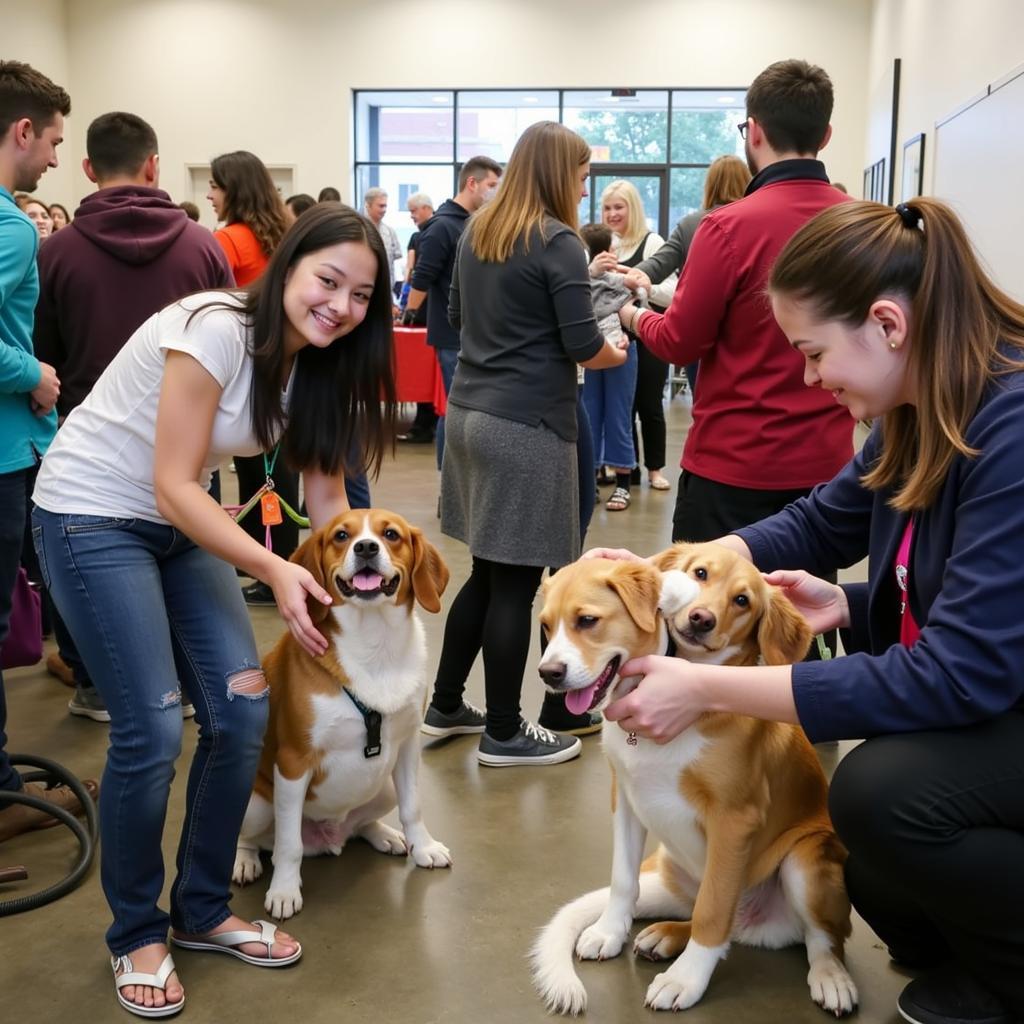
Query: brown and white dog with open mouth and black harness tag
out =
(323, 778)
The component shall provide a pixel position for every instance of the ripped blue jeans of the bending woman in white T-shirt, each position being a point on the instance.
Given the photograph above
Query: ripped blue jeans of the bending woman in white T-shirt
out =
(147, 609)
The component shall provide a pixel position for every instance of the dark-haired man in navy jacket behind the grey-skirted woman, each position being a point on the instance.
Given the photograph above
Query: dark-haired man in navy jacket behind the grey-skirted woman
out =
(436, 252)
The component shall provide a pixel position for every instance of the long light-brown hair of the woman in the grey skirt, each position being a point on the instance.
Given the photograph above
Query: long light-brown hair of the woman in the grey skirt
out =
(540, 184)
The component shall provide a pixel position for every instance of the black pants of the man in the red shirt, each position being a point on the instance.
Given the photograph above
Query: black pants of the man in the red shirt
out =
(707, 510)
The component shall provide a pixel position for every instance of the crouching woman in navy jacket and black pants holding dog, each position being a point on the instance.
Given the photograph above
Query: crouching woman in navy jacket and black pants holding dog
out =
(893, 315)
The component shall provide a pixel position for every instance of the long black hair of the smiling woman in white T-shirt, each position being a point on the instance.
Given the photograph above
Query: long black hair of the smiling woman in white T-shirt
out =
(343, 410)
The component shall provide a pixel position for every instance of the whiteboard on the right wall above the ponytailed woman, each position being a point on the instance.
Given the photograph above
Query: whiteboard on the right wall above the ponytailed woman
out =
(979, 155)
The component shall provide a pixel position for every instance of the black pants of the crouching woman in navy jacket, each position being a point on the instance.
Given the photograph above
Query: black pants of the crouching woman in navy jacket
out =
(934, 823)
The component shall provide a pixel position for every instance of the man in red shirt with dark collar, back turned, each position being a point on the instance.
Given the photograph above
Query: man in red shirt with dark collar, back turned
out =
(760, 438)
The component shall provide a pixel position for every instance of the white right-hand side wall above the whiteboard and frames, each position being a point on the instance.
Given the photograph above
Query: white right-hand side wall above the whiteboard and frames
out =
(951, 51)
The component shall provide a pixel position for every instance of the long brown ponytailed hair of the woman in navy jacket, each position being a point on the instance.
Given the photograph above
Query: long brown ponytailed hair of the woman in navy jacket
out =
(962, 334)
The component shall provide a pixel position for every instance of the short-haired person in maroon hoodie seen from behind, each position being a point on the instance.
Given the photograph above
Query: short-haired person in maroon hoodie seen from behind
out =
(129, 252)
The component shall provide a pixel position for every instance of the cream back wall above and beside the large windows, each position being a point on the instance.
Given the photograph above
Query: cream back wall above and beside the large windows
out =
(276, 77)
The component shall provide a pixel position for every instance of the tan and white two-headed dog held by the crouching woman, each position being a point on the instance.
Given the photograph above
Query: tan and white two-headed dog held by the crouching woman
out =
(748, 852)
